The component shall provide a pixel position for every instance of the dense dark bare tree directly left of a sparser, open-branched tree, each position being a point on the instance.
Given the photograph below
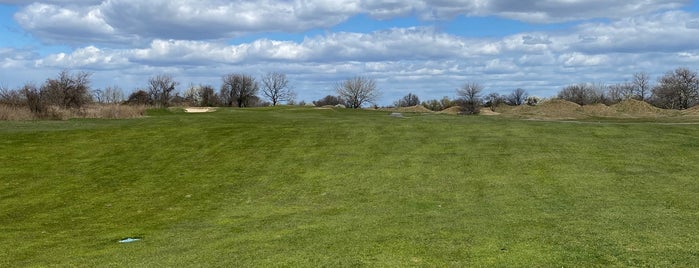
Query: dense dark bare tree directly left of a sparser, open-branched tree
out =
(239, 89)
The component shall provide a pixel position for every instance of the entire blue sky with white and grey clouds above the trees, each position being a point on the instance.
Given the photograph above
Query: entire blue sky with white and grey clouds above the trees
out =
(426, 47)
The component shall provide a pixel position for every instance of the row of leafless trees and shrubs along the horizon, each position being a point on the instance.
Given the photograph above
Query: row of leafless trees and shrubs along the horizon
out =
(677, 89)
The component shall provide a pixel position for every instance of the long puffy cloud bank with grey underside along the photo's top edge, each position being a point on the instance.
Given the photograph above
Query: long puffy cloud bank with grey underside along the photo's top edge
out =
(132, 21)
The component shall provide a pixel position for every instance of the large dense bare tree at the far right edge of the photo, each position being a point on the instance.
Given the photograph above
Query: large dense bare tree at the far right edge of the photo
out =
(677, 90)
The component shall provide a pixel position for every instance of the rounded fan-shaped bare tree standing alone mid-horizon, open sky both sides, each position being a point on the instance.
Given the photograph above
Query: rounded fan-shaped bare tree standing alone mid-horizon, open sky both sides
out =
(357, 91)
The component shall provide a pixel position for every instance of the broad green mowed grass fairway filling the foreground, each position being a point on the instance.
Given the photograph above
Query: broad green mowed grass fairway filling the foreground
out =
(310, 187)
